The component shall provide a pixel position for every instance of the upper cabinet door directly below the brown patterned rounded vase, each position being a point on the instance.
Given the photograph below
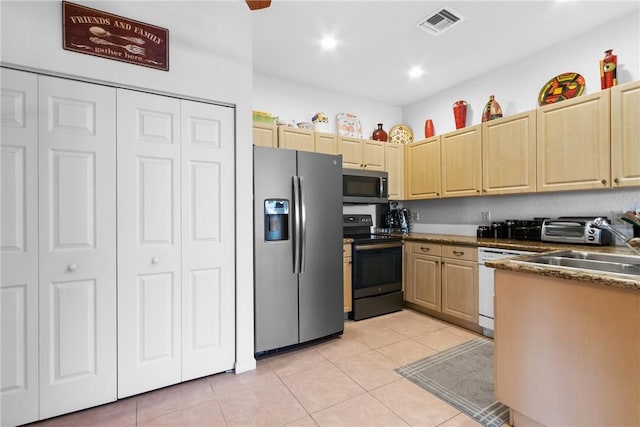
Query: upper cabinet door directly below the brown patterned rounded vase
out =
(509, 154)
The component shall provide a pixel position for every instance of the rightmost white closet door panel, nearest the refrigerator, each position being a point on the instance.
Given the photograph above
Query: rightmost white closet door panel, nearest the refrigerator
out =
(208, 248)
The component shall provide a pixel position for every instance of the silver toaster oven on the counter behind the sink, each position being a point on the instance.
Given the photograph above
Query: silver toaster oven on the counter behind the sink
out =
(577, 230)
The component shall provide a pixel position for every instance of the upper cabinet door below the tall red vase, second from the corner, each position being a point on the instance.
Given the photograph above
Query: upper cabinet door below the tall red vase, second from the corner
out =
(461, 154)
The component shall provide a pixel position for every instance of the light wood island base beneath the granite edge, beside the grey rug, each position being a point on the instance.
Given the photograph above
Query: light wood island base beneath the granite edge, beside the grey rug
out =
(567, 346)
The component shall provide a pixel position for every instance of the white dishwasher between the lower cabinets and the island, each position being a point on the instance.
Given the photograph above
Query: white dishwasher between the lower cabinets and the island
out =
(485, 284)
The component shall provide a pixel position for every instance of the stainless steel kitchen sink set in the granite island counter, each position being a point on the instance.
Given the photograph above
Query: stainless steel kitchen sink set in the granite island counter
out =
(590, 261)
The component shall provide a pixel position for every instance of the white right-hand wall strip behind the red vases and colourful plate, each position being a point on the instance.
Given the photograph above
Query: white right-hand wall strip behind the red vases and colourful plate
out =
(516, 86)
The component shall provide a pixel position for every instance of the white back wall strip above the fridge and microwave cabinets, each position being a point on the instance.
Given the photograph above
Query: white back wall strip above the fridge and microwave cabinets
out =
(291, 100)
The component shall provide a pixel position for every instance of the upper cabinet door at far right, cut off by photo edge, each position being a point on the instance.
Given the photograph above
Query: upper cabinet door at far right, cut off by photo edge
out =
(625, 135)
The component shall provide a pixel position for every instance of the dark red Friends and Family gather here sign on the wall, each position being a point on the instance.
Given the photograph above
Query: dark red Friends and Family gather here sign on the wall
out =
(97, 33)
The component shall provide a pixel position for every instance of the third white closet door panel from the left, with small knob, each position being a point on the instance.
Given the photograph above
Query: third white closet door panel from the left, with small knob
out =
(149, 318)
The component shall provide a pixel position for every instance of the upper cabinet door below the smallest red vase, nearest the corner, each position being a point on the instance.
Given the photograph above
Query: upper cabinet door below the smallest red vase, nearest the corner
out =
(422, 171)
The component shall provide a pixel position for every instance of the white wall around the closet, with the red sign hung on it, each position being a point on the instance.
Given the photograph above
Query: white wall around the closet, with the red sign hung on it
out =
(203, 64)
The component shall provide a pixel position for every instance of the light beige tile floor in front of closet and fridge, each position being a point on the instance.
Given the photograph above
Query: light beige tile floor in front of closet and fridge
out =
(348, 380)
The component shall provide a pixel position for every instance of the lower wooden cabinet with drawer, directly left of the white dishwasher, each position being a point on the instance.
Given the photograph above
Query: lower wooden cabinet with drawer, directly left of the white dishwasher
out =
(460, 282)
